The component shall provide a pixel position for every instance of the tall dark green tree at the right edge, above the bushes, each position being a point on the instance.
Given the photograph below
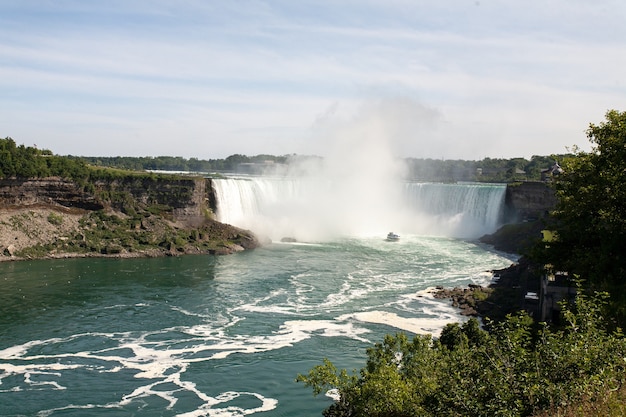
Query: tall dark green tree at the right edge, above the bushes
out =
(590, 217)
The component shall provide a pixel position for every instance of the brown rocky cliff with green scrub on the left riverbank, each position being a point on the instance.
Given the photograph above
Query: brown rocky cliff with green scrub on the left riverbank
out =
(125, 216)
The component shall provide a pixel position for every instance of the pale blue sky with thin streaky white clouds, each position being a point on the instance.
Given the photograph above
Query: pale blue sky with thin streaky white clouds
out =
(207, 79)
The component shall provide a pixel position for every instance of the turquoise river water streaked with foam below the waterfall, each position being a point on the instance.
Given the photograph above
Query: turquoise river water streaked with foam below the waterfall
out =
(215, 336)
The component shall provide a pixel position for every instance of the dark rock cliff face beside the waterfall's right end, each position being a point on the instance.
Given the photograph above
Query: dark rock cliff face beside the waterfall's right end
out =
(528, 201)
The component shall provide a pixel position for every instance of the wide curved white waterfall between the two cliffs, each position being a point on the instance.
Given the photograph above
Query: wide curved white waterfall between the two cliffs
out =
(309, 209)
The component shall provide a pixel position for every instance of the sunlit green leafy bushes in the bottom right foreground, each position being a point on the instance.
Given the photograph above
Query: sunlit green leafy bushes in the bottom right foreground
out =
(516, 369)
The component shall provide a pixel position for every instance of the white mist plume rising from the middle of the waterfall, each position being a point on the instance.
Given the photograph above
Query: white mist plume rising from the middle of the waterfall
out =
(356, 187)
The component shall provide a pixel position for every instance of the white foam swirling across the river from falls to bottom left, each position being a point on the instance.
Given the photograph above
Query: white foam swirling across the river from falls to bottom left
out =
(303, 306)
